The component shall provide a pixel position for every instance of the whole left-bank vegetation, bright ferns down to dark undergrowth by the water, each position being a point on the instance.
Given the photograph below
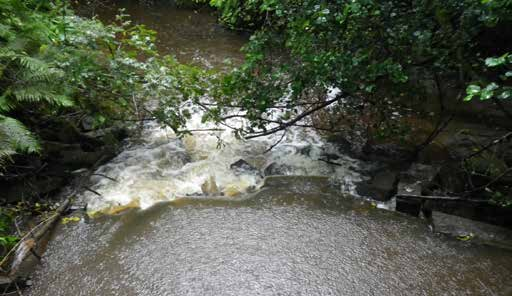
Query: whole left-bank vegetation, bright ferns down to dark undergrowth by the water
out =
(62, 77)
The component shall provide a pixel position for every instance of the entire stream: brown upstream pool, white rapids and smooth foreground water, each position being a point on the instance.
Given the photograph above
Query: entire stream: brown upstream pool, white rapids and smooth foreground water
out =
(198, 221)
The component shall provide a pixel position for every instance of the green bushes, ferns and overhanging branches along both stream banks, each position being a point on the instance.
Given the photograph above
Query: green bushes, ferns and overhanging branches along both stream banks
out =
(70, 87)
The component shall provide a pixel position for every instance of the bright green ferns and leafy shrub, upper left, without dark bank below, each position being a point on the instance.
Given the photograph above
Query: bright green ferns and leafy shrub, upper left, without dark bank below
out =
(54, 63)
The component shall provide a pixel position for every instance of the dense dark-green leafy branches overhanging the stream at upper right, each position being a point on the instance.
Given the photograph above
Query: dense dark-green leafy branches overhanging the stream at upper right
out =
(369, 49)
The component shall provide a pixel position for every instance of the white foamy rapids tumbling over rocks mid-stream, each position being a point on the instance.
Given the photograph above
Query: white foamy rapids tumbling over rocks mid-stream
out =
(158, 166)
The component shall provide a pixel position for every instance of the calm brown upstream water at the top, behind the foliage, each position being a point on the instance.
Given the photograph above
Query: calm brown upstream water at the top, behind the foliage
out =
(191, 35)
